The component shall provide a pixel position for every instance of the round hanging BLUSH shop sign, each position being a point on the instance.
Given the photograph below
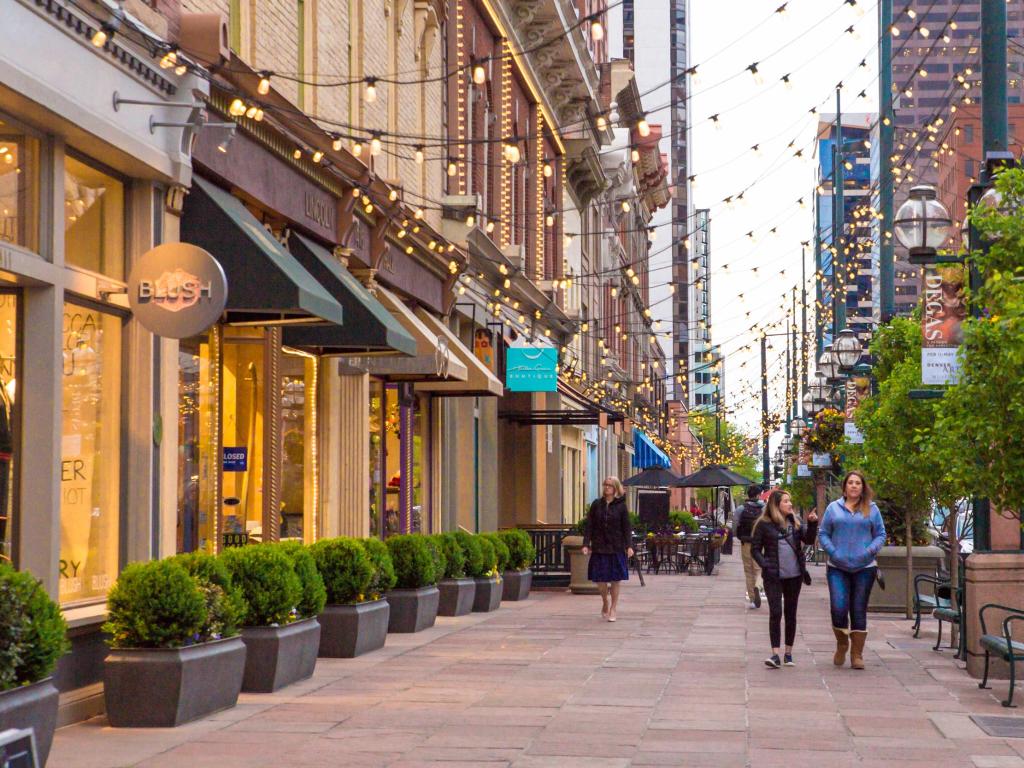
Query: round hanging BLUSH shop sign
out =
(178, 290)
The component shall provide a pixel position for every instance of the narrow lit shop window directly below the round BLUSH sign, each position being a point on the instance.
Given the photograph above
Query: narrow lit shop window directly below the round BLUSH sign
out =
(197, 446)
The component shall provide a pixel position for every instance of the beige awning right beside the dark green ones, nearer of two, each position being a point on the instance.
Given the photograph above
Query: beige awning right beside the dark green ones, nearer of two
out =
(434, 361)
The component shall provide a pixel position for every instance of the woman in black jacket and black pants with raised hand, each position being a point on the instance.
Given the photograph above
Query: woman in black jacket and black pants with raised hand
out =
(778, 546)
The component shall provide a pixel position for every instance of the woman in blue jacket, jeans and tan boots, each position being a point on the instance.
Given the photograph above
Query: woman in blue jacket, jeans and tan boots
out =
(852, 534)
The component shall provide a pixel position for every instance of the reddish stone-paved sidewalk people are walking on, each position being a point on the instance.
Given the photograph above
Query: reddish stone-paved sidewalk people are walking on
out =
(678, 680)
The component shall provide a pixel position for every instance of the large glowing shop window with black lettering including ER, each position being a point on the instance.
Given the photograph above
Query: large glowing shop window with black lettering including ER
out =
(91, 456)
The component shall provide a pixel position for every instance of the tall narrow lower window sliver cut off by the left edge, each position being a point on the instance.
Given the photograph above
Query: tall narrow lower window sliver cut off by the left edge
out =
(9, 392)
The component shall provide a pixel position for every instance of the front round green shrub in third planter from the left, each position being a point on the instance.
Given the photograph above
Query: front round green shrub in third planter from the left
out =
(268, 581)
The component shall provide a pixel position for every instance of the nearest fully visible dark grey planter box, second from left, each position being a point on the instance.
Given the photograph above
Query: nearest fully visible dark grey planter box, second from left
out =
(165, 688)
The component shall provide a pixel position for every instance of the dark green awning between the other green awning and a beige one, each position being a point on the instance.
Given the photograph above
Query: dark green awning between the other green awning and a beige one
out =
(369, 328)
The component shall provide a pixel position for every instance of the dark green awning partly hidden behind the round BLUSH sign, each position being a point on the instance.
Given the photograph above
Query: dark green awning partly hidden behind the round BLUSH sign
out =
(266, 284)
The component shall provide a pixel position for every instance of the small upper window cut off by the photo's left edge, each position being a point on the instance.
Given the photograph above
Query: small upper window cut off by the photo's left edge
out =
(19, 188)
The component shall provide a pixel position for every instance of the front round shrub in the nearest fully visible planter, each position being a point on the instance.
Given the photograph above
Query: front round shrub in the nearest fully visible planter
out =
(155, 605)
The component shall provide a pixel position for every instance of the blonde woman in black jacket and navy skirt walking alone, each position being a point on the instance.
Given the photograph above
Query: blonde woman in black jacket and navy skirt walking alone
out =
(608, 539)
